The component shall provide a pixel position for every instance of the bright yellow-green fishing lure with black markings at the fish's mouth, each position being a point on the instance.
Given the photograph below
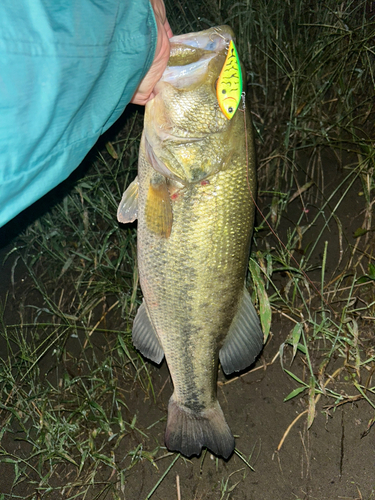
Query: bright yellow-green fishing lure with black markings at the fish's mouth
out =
(229, 84)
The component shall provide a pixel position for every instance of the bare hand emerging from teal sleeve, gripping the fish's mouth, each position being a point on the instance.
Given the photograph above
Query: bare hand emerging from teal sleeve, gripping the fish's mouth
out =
(145, 90)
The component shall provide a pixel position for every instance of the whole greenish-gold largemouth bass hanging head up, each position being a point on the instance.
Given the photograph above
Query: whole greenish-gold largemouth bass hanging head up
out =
(193, 198)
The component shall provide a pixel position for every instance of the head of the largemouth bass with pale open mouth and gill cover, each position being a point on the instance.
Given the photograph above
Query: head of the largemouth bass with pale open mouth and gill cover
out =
(187, 136)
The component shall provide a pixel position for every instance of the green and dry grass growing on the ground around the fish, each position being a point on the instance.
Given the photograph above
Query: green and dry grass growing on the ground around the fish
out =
(68, 371)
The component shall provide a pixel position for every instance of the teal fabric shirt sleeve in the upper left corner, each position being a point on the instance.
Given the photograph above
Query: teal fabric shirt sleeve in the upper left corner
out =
(68, 69)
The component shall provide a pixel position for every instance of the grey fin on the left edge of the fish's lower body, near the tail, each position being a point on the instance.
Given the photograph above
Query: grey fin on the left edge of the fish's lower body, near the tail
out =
(145, 338)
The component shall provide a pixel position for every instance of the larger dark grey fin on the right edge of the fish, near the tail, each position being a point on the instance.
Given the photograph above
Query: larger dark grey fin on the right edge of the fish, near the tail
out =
(244, 340)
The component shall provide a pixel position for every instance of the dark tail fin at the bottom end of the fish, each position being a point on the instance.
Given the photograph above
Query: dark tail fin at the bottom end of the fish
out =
(188, 432)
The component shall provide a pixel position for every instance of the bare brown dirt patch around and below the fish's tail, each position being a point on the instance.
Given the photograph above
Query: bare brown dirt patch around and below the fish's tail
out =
(330, 461)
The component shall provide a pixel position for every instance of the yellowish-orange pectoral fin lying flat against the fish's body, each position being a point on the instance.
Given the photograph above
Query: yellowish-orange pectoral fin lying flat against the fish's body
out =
(158, 210)
